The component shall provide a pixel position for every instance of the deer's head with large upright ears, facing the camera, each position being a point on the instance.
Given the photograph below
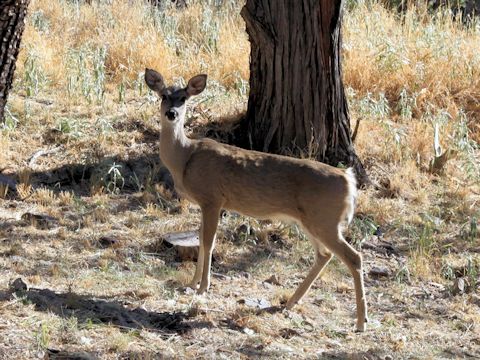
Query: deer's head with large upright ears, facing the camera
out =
(173, 98)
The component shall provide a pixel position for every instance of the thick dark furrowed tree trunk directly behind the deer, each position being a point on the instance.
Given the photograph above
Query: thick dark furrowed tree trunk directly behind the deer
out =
(297, 101)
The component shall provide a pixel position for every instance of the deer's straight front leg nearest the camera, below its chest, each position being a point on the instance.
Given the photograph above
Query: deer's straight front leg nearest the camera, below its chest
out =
(210, 215)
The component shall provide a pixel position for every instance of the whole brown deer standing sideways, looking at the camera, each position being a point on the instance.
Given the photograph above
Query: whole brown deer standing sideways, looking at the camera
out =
(217, 176)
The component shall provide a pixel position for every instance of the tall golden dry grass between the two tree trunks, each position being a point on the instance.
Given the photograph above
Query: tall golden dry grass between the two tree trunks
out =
(66, 36)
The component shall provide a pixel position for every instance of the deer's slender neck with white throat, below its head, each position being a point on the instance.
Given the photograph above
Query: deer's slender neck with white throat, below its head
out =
(175, 149)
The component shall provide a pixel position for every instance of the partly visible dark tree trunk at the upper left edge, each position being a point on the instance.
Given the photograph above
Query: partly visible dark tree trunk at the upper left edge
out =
(12, 16)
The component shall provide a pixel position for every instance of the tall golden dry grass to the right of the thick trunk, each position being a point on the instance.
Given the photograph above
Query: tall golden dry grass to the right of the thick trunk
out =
(432, 60)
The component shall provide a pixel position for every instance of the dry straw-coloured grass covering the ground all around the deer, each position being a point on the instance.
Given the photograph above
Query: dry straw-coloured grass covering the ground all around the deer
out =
(79, 91)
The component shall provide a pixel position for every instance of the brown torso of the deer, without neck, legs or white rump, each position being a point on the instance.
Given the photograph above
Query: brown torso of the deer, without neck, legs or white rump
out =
(259, 184)
